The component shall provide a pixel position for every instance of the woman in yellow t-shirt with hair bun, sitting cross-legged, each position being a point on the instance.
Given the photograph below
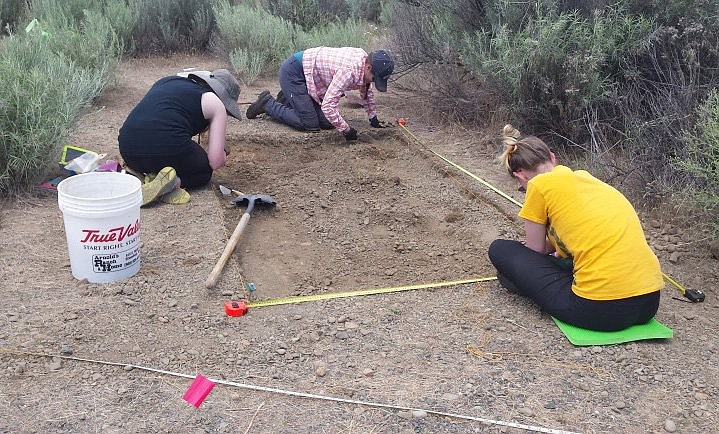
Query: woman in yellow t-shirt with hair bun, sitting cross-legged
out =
(585, 259)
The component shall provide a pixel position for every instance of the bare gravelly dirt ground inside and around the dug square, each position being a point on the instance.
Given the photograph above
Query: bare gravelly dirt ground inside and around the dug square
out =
(383, 212)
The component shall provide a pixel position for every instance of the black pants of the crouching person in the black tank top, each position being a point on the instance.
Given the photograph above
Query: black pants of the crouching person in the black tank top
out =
(190, 164)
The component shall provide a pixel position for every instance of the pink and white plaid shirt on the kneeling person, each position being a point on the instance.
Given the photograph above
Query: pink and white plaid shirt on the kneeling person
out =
(329, 73)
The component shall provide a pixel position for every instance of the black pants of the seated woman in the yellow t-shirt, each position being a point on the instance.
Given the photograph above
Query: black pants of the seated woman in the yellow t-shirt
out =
(548, 281)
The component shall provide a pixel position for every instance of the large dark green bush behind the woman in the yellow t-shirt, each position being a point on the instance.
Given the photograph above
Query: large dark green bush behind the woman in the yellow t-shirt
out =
(614, 83)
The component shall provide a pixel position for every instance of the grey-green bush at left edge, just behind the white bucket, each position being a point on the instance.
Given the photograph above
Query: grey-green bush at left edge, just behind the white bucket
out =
(41, 96)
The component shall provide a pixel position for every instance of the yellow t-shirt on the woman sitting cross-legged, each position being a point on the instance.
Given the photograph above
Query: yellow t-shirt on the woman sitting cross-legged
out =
(593, 224)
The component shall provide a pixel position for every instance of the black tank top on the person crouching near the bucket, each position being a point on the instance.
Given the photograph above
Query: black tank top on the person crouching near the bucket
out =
(166, 118)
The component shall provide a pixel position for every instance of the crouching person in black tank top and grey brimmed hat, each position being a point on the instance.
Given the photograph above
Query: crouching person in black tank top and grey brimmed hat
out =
(158, 133)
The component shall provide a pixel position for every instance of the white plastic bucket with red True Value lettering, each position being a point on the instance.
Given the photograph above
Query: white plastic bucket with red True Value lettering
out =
(101, 211)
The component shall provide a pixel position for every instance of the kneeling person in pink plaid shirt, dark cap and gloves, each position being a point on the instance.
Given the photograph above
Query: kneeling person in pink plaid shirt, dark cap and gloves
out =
(314, 80)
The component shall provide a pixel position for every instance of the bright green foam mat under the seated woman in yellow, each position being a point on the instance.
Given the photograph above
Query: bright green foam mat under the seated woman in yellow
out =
(583, 337)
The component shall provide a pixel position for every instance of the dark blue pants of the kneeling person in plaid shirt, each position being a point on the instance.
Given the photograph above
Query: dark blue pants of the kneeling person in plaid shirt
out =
(301, 111)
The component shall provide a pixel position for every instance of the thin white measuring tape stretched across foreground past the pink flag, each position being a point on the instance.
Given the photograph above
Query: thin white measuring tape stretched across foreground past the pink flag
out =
(301, 394)
